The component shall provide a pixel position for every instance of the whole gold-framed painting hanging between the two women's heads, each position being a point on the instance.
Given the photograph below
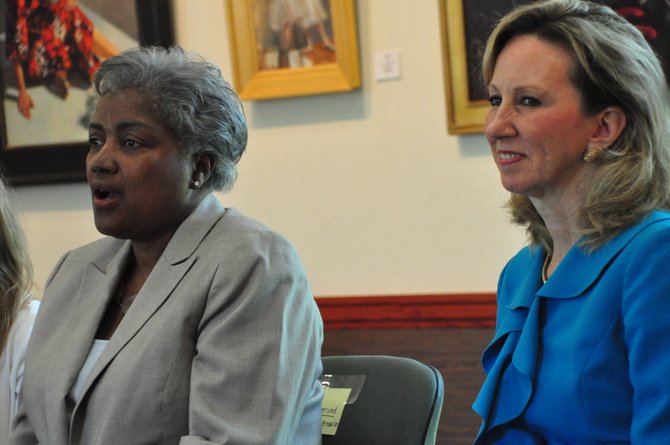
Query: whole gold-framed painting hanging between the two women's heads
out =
(283, 48)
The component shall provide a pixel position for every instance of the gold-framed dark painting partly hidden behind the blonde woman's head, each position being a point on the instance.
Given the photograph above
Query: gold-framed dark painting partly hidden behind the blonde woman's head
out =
(466, 24)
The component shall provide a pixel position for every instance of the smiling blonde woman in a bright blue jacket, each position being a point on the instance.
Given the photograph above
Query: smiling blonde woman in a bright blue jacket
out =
(580, 137)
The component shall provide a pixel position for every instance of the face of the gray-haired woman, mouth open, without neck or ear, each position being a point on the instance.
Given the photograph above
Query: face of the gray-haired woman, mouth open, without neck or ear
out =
(139, 178)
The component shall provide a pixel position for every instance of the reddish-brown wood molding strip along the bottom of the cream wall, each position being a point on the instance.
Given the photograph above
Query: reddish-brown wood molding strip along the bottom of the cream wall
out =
(408, 311)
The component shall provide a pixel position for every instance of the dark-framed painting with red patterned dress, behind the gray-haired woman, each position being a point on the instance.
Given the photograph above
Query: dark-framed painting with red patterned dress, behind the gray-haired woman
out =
(49, 51)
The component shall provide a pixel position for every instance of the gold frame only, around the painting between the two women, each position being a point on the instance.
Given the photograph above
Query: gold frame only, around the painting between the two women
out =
(253, 81)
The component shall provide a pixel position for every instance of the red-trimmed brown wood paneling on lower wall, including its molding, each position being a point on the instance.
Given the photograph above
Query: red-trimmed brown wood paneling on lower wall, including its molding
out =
(448, 331)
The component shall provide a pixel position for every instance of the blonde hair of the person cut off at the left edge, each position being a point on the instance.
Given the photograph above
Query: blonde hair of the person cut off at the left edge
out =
(16, 272)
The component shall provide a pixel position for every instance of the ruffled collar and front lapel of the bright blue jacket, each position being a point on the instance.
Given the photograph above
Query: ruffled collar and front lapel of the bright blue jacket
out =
(511, 358)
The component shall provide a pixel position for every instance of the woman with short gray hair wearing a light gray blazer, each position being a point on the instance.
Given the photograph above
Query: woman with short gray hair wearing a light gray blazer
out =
(189, 323)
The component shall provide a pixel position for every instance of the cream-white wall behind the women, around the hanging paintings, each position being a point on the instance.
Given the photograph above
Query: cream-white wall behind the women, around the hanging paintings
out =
(368, 185)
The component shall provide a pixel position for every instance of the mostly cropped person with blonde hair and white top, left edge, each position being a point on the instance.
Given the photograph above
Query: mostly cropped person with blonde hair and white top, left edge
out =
(17, 310)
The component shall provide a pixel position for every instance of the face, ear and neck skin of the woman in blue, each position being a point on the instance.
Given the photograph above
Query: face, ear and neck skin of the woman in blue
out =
(538, 134)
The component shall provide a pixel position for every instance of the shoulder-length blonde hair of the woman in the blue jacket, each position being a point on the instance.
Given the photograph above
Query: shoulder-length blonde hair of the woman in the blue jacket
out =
(613, 66)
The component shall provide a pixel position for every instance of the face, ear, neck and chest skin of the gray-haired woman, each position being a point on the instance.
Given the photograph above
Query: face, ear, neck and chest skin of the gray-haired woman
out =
(142, 185)
